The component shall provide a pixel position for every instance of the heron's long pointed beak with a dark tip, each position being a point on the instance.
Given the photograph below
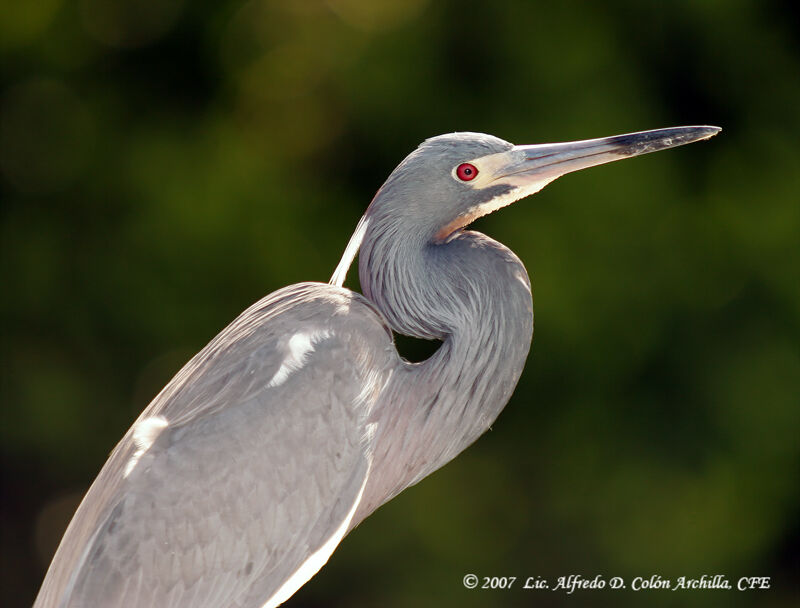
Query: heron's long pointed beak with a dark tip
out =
(542, 163)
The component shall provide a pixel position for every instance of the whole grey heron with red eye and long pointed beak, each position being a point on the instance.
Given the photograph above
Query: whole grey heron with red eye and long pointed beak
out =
(238, 481)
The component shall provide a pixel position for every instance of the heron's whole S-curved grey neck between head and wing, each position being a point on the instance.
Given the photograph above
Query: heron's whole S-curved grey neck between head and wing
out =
(472, 293)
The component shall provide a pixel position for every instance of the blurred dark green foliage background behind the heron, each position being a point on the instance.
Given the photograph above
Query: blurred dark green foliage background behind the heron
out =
(164, 164)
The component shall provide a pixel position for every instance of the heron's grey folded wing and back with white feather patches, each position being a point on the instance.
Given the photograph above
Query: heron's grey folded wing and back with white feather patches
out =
(238, 481)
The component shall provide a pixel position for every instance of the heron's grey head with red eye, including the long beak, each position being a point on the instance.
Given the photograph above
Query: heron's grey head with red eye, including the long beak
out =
(451, 180)
